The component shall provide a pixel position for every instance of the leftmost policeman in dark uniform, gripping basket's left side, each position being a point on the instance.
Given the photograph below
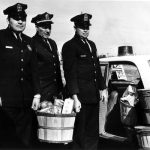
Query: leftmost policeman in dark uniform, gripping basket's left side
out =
(19, 83)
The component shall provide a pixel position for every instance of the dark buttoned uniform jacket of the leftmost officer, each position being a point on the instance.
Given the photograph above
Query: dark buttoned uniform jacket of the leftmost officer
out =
(18, 70)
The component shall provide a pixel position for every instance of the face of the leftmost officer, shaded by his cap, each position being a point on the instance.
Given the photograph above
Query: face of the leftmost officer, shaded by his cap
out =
(17, 25)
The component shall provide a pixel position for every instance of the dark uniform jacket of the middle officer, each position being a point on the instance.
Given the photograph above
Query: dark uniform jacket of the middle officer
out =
(48, 67)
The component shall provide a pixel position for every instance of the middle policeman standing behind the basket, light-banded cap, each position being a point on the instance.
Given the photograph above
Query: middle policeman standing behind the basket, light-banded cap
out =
(48, 60)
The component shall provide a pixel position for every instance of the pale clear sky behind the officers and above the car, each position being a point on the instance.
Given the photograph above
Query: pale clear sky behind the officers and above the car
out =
(114, 23)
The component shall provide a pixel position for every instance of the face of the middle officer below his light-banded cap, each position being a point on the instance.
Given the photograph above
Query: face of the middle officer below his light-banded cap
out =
(44, 31)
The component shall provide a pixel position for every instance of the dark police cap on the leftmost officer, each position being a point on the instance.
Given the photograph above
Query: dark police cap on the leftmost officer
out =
(16, 11)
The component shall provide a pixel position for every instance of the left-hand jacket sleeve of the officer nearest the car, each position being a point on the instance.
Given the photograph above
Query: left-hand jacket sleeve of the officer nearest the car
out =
(69, 56)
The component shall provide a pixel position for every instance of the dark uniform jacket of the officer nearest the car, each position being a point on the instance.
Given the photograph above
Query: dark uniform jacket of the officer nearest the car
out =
(81, 70)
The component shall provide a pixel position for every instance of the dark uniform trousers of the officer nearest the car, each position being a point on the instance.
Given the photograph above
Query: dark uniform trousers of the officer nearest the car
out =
(86, 131)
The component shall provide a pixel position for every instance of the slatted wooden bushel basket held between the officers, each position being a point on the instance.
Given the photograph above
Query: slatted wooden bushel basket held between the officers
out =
(55, 128)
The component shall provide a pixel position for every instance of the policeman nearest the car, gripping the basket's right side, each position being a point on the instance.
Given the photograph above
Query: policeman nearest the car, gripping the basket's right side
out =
(84, 83)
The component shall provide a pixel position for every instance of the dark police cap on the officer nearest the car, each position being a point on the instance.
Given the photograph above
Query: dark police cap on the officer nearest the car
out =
(82, 20)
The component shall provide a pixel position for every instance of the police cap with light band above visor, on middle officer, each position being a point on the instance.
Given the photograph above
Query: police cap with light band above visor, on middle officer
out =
(43, 19)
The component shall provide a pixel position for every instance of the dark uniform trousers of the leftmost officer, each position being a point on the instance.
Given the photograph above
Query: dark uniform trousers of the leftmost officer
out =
(17, 127)
